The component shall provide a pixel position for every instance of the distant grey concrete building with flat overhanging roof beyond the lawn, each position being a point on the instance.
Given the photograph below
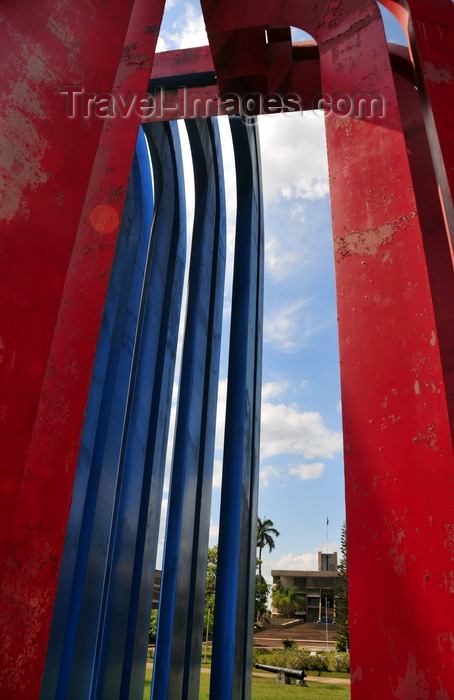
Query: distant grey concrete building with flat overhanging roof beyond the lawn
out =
(318, 588)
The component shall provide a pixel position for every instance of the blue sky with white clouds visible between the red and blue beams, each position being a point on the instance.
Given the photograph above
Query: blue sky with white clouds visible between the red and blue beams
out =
(301, 460)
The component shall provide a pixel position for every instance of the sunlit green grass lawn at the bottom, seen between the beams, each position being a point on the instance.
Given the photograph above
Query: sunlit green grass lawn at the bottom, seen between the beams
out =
(268, 689)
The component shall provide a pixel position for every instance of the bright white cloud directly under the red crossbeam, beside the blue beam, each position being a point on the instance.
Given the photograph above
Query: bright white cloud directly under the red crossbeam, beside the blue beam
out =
(294, 163)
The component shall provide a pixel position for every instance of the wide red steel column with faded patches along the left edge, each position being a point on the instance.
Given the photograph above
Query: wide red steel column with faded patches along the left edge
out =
(63, 182)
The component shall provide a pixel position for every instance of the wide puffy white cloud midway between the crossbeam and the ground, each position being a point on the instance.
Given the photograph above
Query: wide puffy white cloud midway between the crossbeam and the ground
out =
(286, 430)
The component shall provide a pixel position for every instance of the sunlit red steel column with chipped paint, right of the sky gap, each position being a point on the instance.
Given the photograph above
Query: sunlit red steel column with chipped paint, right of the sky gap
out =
(398, 445)
